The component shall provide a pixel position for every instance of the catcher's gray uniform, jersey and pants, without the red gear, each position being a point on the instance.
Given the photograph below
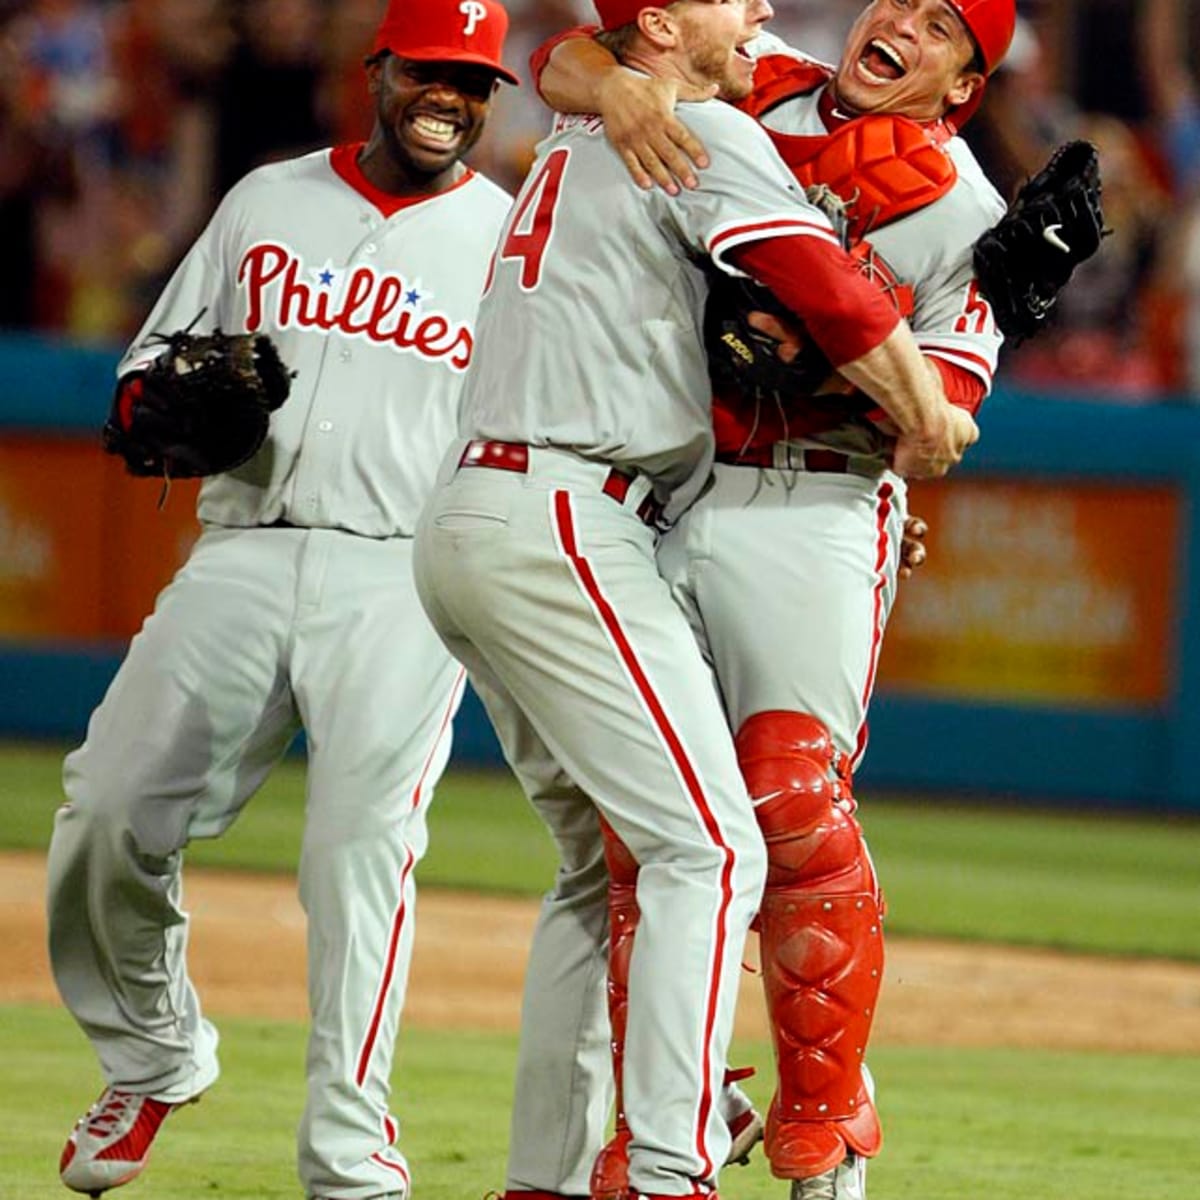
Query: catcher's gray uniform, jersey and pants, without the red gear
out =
(819, 551)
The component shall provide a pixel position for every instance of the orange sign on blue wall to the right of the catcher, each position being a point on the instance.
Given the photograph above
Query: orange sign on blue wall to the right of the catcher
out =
(1061, 593)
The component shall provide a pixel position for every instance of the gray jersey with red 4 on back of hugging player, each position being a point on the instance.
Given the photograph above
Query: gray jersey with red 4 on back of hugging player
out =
(590, 333)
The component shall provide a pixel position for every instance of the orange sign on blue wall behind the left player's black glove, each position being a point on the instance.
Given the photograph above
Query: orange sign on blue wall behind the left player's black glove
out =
(83, 548)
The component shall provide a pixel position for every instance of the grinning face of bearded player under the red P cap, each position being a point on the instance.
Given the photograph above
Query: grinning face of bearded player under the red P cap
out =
(428, 117)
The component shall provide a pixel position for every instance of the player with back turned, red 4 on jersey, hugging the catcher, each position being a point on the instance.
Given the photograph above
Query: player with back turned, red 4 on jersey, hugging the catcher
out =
(586, 421)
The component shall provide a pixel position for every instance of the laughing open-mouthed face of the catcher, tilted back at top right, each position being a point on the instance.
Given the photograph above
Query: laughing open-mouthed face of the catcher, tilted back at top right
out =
(914, 58)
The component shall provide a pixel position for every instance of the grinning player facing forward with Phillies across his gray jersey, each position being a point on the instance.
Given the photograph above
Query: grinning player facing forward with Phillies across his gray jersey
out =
(297, 609)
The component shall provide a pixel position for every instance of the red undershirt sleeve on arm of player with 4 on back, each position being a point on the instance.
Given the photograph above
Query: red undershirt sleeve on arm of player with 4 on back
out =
(843, 311)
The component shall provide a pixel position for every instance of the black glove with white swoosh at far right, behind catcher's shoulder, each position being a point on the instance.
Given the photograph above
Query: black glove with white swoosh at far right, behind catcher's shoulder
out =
(1053, 226)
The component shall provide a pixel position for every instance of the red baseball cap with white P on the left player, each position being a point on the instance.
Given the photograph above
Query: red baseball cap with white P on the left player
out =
(447, 32)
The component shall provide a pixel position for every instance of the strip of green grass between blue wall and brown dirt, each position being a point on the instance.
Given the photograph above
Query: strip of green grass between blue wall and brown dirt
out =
(1103, 885)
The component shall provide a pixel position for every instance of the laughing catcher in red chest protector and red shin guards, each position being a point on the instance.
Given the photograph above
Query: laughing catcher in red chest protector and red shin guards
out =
(788, 566)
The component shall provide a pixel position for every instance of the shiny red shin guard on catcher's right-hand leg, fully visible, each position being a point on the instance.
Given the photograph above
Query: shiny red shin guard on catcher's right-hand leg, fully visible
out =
(821, 945)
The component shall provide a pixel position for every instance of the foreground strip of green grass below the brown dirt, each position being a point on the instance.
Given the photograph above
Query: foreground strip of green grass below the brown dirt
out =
(998, 1125)
